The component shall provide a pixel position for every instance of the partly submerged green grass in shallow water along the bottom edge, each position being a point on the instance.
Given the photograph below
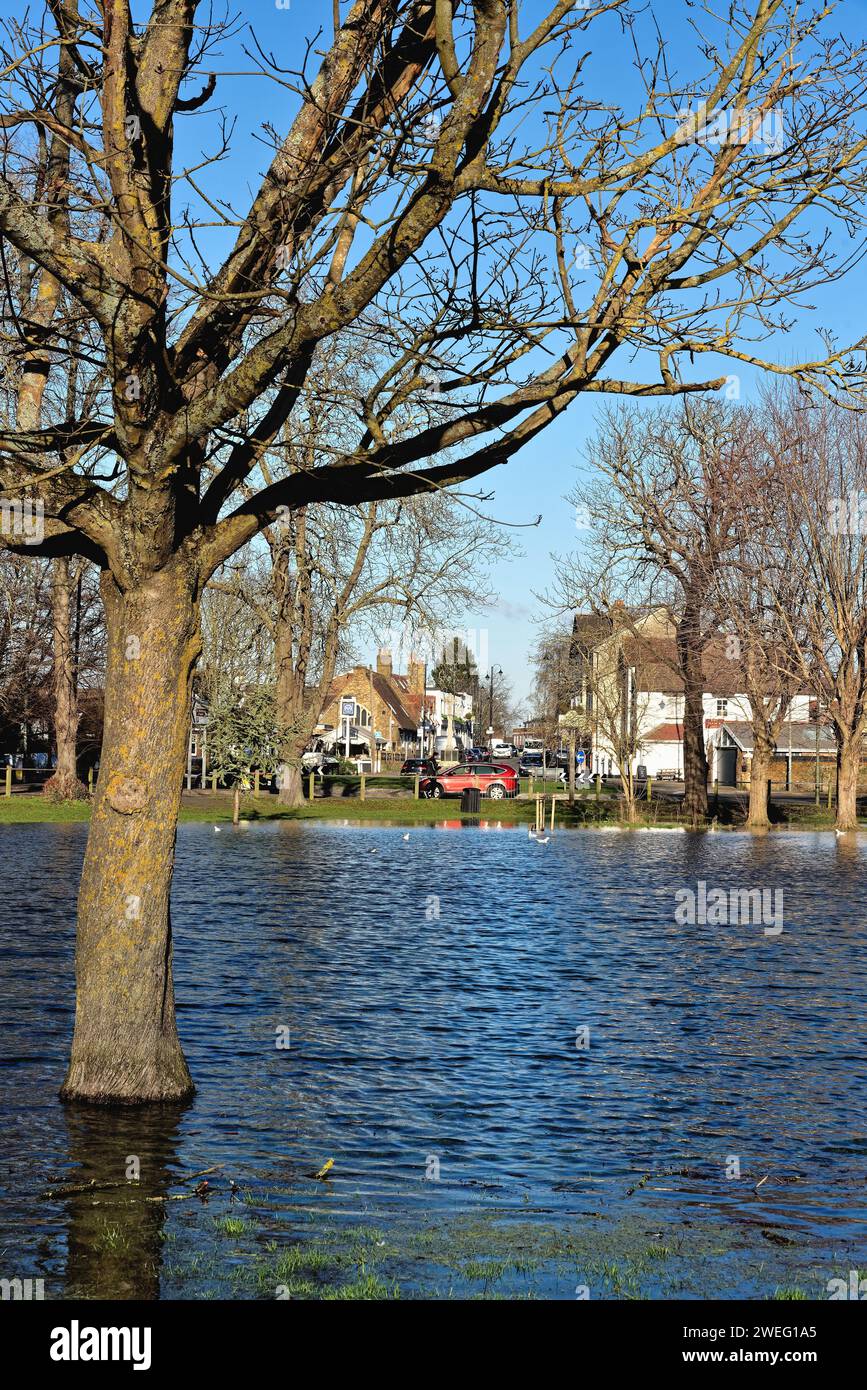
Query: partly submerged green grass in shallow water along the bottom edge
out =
(493, 1257)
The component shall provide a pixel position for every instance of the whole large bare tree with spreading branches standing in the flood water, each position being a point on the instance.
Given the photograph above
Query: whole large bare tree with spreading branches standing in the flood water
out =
(411, 201)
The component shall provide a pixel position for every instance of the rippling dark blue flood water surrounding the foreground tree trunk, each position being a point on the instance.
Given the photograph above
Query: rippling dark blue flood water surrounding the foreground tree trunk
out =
(436, 997)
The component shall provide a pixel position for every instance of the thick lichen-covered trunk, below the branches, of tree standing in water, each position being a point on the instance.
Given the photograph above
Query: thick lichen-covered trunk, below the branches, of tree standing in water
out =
(126, 1047)
